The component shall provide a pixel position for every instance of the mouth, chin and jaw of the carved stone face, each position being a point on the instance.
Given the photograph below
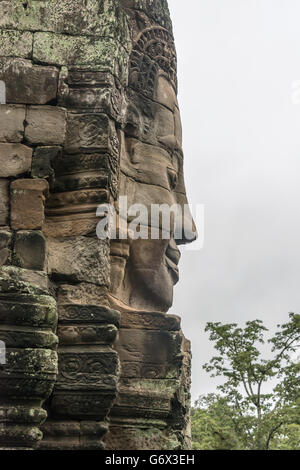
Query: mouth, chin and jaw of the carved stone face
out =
(149, 275)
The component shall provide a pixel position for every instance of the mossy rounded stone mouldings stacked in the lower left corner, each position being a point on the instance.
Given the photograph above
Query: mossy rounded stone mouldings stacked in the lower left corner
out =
(28, 318)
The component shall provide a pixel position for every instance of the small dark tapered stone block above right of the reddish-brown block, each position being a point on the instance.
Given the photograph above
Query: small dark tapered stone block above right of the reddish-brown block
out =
(43, 161)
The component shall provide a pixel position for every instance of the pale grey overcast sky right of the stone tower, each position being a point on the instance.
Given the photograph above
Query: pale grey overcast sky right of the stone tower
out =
(238, 61)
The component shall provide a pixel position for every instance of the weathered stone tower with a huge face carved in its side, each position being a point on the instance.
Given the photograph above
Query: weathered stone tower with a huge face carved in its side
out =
(92, 359)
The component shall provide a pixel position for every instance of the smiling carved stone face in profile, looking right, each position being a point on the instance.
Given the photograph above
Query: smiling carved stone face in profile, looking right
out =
(145, 271)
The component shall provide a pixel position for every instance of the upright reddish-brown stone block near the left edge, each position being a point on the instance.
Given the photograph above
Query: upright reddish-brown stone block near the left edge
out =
(27, 203)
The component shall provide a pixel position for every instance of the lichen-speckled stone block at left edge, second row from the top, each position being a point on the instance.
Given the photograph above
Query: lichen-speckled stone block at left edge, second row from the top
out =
(16, 43)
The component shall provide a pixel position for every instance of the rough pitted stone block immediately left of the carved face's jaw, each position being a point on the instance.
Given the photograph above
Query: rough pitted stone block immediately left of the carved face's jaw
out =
(79, 259)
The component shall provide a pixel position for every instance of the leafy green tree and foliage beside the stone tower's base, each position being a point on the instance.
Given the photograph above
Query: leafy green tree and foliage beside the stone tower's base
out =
(252, 419)
